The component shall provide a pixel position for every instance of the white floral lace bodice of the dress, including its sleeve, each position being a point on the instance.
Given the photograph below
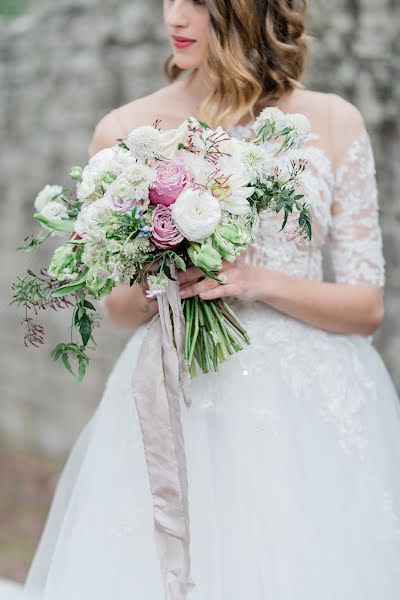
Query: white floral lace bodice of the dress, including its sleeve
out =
(344, 206)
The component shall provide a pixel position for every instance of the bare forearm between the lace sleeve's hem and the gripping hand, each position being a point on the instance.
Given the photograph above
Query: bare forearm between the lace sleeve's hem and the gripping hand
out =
(337, 307)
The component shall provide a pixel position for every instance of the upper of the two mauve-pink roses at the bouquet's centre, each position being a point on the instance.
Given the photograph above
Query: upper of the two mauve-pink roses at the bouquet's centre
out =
(170, 181)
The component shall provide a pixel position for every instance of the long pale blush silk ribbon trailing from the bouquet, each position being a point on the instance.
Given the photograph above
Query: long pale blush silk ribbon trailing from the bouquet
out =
(160, 379)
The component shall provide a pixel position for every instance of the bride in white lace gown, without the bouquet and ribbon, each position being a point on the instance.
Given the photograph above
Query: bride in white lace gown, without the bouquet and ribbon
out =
(293, 448)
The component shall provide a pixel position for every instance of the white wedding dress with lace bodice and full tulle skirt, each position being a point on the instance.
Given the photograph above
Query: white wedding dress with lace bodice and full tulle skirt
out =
(292, 449)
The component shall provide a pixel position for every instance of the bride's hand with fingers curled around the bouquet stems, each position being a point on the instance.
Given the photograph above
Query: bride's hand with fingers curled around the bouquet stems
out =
(240, 280)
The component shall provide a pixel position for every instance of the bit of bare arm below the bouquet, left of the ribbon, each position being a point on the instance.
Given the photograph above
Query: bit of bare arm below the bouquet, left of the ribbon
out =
(128, 306)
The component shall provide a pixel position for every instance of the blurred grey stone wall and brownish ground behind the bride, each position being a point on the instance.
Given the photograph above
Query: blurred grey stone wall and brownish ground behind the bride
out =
(63, 65)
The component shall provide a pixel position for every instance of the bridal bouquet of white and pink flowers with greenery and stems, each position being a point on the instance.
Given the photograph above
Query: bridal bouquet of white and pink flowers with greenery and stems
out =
(157, 200)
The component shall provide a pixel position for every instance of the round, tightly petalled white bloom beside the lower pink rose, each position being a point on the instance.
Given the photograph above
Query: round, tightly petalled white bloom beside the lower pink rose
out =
(196, 214)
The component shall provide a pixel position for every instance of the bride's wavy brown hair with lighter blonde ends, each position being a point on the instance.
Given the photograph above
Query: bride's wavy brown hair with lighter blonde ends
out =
(257, 51)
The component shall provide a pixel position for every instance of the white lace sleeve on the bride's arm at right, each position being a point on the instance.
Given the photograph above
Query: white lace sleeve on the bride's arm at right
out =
(355, 237)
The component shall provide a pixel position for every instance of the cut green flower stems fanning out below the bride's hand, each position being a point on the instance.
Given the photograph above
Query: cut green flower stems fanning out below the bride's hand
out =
(212, 333)
